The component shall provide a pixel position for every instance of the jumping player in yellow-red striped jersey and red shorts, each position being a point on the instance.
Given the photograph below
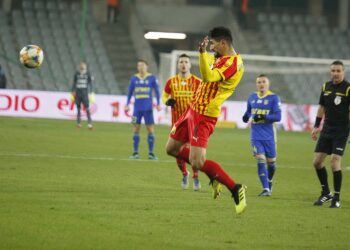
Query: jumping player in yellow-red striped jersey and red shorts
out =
(220, 76)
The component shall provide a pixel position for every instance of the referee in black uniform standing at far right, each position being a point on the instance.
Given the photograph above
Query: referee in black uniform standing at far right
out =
(334, 107)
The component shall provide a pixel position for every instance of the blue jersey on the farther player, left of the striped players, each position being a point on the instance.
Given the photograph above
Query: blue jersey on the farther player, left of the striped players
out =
(141, 89)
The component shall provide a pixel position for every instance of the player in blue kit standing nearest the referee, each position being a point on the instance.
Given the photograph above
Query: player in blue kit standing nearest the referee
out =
(263, 110)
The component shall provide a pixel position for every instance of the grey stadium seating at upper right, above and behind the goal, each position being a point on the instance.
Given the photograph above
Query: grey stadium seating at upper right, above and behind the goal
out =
(298, 35)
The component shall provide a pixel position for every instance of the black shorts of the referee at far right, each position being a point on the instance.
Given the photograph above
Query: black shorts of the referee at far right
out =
(331, 145)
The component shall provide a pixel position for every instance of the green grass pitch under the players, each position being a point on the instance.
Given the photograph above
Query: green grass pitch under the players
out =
(68, 188)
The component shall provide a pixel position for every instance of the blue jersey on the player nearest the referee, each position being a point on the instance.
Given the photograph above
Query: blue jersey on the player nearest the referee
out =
(269, 105)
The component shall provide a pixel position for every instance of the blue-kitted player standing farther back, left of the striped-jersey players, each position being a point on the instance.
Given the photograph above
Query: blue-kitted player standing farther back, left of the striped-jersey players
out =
(141, 87)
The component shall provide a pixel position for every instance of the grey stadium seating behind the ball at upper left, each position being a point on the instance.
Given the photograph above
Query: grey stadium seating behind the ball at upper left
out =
(55, 26)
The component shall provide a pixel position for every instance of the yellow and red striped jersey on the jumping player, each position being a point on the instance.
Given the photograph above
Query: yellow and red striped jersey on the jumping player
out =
(210, 95)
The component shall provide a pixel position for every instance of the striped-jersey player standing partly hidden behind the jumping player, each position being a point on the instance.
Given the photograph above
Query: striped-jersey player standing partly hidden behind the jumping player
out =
(177, 94)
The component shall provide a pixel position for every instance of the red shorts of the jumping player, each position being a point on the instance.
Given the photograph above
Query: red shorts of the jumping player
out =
(193, 128)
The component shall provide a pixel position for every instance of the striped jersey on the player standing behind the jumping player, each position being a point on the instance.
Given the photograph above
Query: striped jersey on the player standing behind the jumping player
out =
(182, 90)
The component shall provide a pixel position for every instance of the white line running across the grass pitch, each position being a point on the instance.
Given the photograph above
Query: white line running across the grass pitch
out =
(135, 160)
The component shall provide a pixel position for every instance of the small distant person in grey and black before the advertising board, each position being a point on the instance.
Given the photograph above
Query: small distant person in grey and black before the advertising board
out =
(82, 87)
